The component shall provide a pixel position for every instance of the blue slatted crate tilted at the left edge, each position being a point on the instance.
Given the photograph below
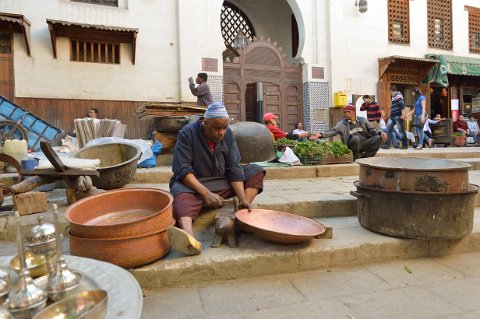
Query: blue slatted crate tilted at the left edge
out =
(37, 129)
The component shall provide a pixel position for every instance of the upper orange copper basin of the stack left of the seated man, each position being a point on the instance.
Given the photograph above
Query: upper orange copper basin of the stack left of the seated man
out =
(121, 213)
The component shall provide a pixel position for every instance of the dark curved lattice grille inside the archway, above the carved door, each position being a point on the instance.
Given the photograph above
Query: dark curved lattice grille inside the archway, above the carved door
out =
(232, 19)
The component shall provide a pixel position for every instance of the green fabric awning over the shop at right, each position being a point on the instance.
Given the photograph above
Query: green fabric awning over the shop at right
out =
(451, 64)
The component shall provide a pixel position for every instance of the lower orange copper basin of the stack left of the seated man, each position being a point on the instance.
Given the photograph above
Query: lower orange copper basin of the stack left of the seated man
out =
(124, 252)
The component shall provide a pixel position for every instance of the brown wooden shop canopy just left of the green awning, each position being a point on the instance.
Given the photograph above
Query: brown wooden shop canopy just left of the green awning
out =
(422, 65)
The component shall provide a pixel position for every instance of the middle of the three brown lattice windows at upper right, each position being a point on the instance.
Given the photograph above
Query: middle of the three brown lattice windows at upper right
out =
(440, 24)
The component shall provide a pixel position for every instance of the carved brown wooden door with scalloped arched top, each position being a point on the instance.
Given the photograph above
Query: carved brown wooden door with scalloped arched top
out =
(263, 61)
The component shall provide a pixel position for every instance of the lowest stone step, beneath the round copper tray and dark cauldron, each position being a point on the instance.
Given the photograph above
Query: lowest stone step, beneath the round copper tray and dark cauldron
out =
(351, 244)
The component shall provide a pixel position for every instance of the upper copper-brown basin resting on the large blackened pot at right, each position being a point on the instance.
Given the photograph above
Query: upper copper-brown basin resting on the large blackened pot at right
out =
(413, 174)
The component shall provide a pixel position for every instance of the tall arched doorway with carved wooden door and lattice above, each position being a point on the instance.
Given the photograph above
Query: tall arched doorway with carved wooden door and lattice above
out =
(261, 70)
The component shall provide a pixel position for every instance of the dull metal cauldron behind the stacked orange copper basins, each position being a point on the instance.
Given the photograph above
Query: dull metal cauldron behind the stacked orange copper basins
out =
(118, 163)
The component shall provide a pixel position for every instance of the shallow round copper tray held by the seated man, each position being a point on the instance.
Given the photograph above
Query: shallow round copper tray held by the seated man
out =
(280, 227)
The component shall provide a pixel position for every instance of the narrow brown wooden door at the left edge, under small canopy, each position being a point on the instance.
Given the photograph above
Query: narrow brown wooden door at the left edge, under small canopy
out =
(6, 66)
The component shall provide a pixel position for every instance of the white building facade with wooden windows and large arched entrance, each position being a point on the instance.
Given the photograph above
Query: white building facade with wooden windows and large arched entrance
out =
(150, 48)
